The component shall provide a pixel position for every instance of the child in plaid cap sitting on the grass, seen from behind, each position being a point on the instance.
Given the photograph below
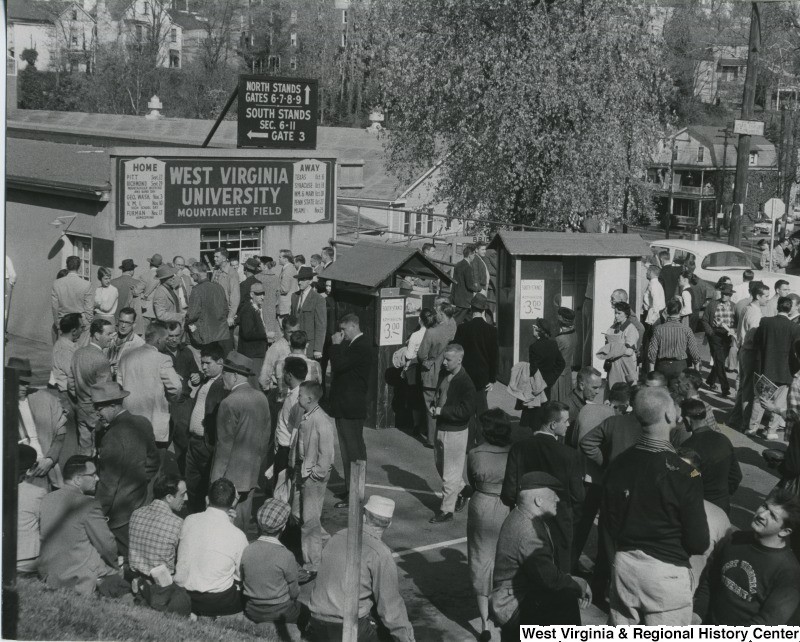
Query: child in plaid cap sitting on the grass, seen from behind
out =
(269, 572)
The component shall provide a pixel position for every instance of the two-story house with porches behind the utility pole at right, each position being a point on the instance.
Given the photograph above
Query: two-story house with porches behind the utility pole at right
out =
(702, 161)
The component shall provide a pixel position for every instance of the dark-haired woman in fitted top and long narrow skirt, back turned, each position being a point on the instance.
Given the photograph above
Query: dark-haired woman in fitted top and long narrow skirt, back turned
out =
(486, 469)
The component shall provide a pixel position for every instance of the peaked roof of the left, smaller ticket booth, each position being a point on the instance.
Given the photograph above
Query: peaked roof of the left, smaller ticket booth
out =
(370, 264)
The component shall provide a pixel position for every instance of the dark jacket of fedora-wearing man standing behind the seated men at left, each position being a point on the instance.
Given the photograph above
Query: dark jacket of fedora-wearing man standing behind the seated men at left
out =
(127, 460)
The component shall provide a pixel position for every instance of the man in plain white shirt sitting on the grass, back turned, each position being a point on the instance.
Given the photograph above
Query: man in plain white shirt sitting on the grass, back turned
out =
(210, 553)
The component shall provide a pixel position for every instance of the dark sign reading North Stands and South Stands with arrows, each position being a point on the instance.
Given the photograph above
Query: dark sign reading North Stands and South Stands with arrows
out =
(277, 113)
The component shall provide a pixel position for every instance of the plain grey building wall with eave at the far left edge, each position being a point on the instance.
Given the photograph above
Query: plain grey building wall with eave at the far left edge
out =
(38, 252)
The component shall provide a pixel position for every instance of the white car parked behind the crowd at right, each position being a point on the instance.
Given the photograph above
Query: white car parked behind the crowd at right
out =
(715, 260)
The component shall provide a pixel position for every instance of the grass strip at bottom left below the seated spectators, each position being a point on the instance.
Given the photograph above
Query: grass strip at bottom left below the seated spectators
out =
(59, 614)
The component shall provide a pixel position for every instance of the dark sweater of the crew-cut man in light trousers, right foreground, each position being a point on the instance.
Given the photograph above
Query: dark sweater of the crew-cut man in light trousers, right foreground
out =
(653, 502)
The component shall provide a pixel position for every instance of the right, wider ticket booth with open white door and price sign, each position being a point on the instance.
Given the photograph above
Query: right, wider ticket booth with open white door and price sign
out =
(537, 272)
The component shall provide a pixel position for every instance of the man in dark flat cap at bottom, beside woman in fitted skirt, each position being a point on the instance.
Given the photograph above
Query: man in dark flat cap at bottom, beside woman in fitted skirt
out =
(529, 585)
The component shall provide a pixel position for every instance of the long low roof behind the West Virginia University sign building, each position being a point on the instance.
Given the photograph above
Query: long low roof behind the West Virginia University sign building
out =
(106, 130)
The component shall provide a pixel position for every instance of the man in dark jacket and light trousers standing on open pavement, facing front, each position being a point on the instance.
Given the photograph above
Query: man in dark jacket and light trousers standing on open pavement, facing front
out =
(453, 407)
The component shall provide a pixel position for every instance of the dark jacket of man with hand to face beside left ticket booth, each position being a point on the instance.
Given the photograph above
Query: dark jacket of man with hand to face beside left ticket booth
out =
(351, 365)
